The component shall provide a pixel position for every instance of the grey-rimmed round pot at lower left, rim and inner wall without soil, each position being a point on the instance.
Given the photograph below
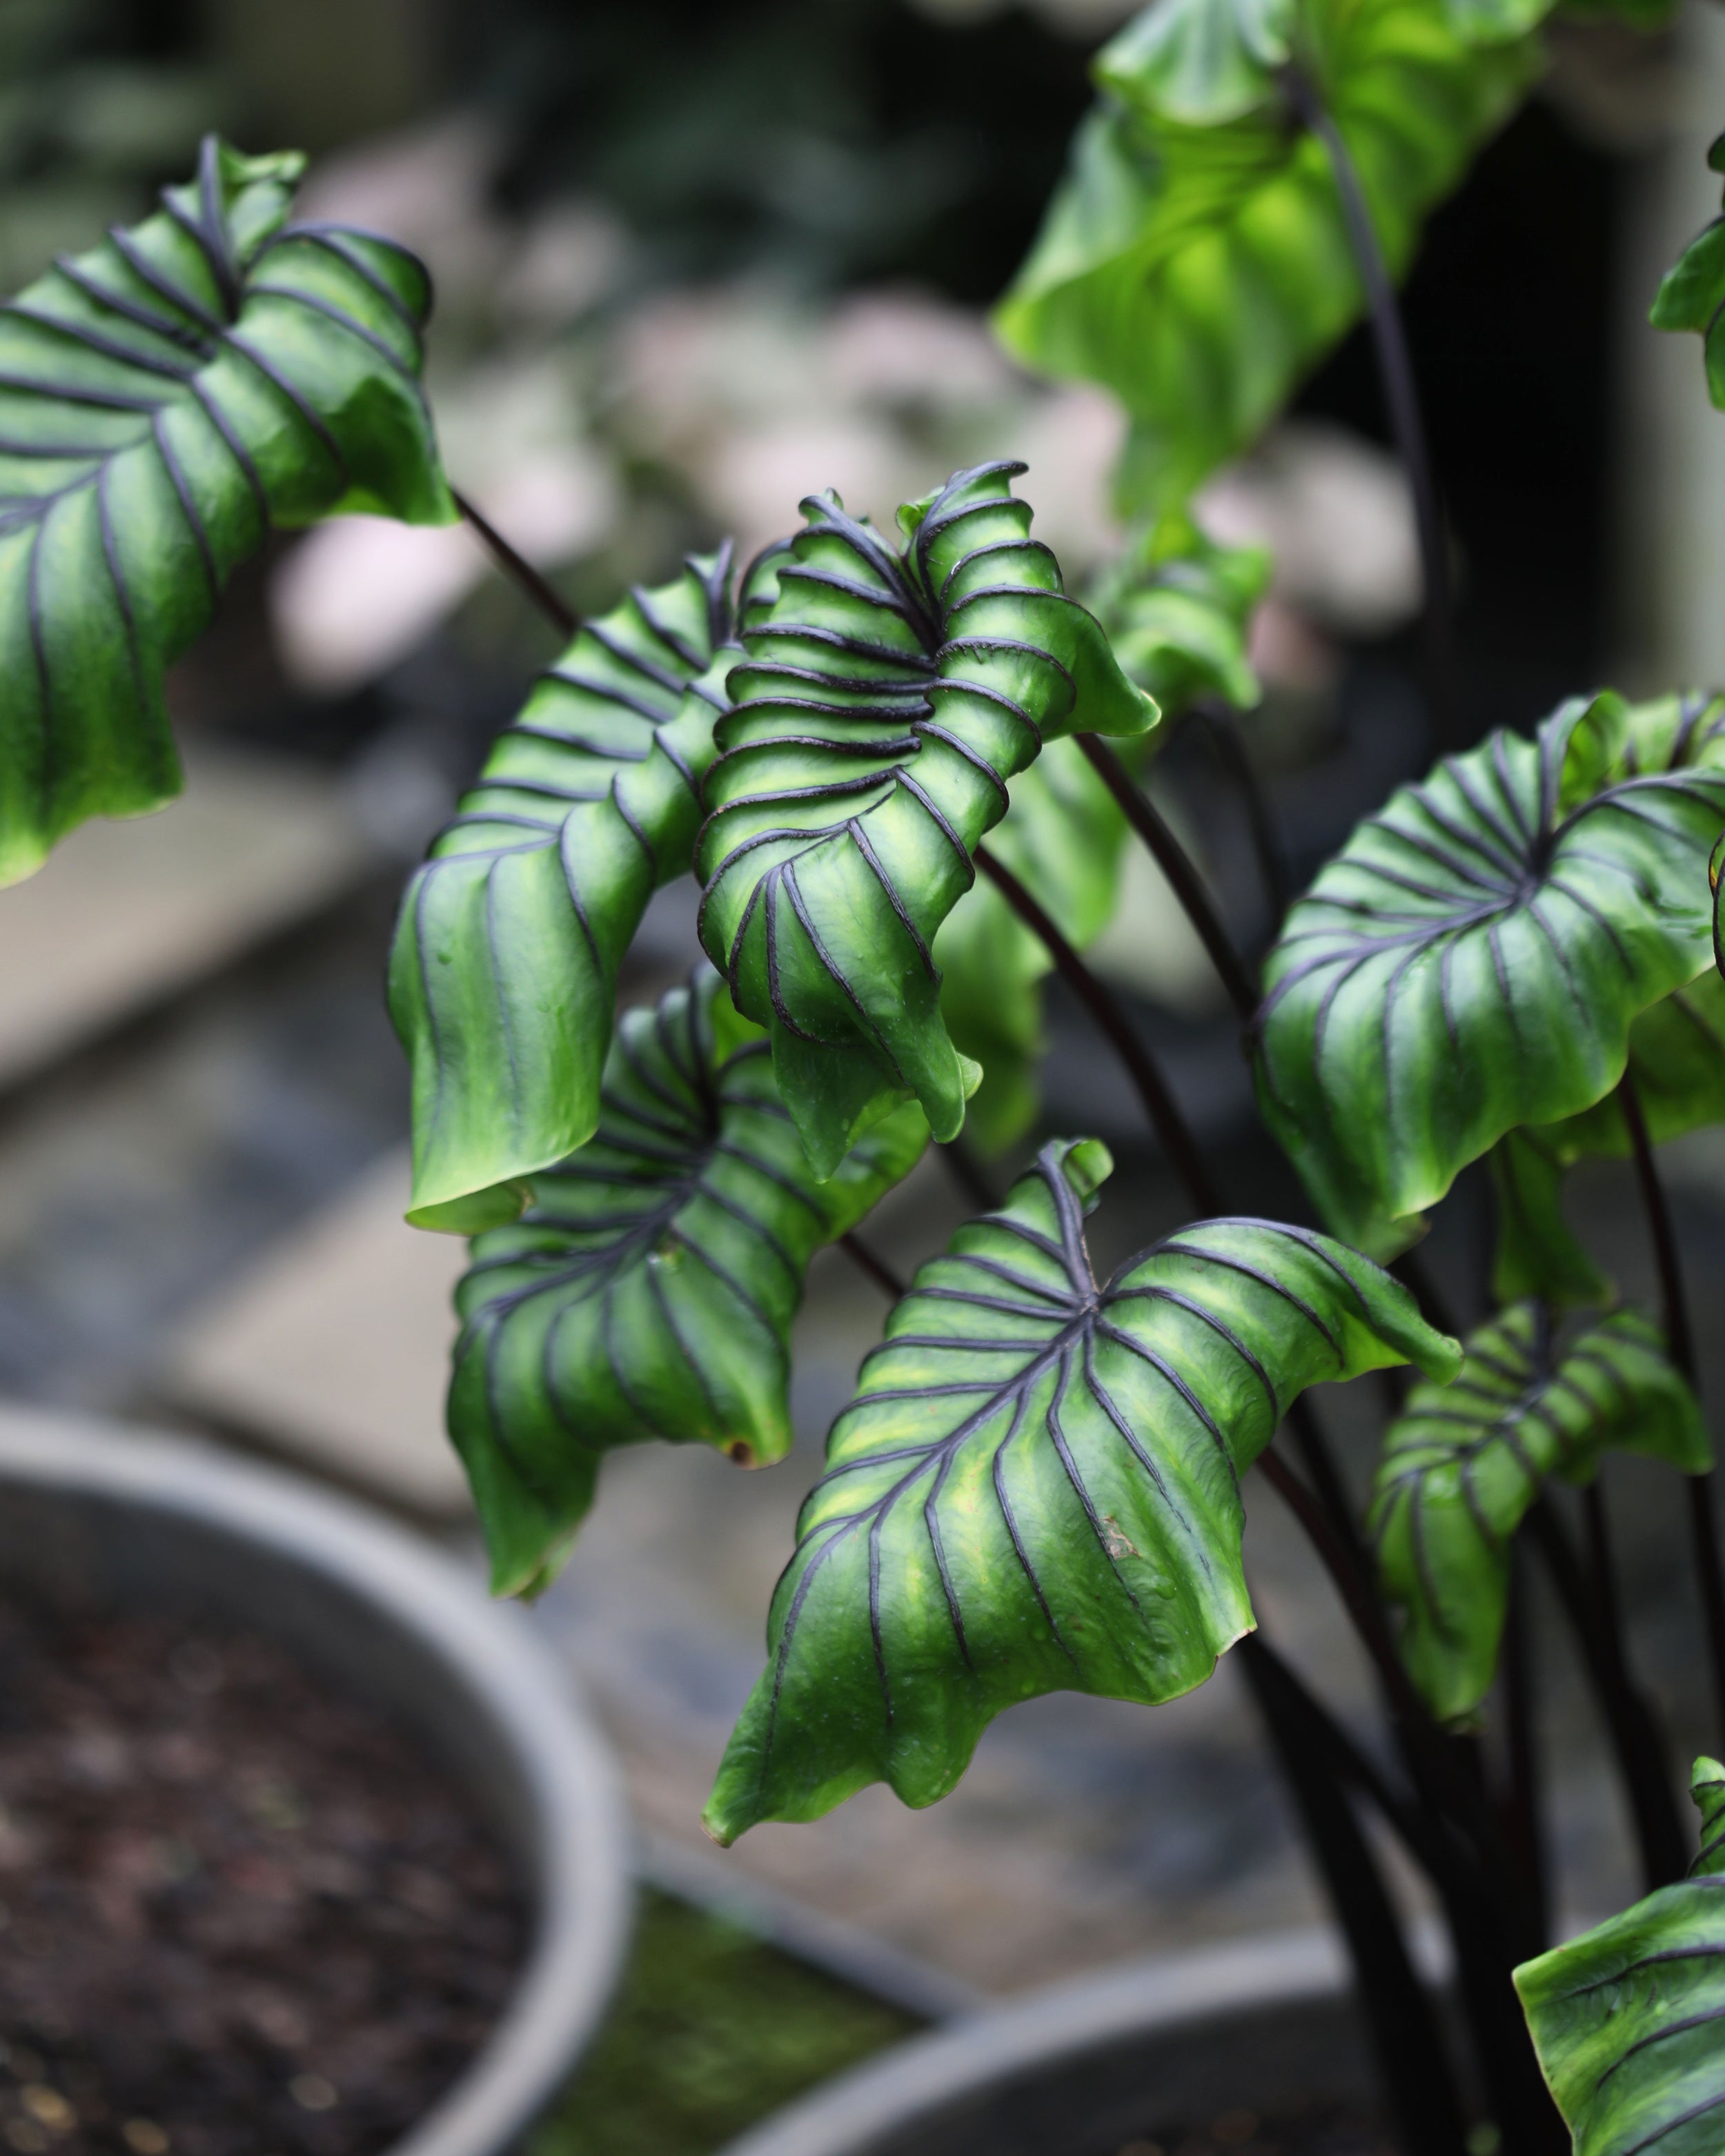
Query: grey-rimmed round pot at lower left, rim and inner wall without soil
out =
(111, 1517)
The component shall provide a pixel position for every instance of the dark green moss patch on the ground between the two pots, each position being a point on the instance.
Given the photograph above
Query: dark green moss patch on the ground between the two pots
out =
(710, 2032)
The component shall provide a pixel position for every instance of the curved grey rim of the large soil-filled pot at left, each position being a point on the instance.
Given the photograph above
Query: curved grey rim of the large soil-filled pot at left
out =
(583, 1849)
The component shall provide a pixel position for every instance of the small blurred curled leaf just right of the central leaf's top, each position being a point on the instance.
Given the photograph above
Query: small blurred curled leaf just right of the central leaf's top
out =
(1178, 613)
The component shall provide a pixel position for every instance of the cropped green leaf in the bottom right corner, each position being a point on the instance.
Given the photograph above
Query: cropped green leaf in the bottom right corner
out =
(1629, 2017)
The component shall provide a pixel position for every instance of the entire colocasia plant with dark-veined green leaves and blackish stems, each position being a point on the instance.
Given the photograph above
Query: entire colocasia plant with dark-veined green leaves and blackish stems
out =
(905, 766)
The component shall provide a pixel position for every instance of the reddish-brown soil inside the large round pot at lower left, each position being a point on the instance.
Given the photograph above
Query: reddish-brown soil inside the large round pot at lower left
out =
(243, 1916)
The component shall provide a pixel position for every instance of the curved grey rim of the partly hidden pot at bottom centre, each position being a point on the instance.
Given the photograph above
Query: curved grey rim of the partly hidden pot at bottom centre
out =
(1161, 1993)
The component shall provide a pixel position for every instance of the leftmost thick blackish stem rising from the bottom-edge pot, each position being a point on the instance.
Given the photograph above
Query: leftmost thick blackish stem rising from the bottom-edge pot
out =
(1416, 2073)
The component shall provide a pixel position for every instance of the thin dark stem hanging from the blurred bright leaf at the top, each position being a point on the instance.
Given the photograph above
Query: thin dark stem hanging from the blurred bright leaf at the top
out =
(1396, 374)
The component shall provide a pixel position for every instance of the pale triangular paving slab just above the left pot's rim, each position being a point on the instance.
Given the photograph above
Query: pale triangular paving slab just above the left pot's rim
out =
(335, 1349)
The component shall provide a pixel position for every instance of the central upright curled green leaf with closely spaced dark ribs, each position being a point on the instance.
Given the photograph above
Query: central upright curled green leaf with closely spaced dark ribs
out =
(887, 700)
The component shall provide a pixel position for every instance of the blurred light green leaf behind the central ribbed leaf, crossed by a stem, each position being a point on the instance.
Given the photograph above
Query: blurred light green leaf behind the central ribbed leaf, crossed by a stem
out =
(1064, 838)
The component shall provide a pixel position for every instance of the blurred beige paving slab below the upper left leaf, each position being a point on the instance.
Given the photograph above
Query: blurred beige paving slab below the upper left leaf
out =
(130, 913)
